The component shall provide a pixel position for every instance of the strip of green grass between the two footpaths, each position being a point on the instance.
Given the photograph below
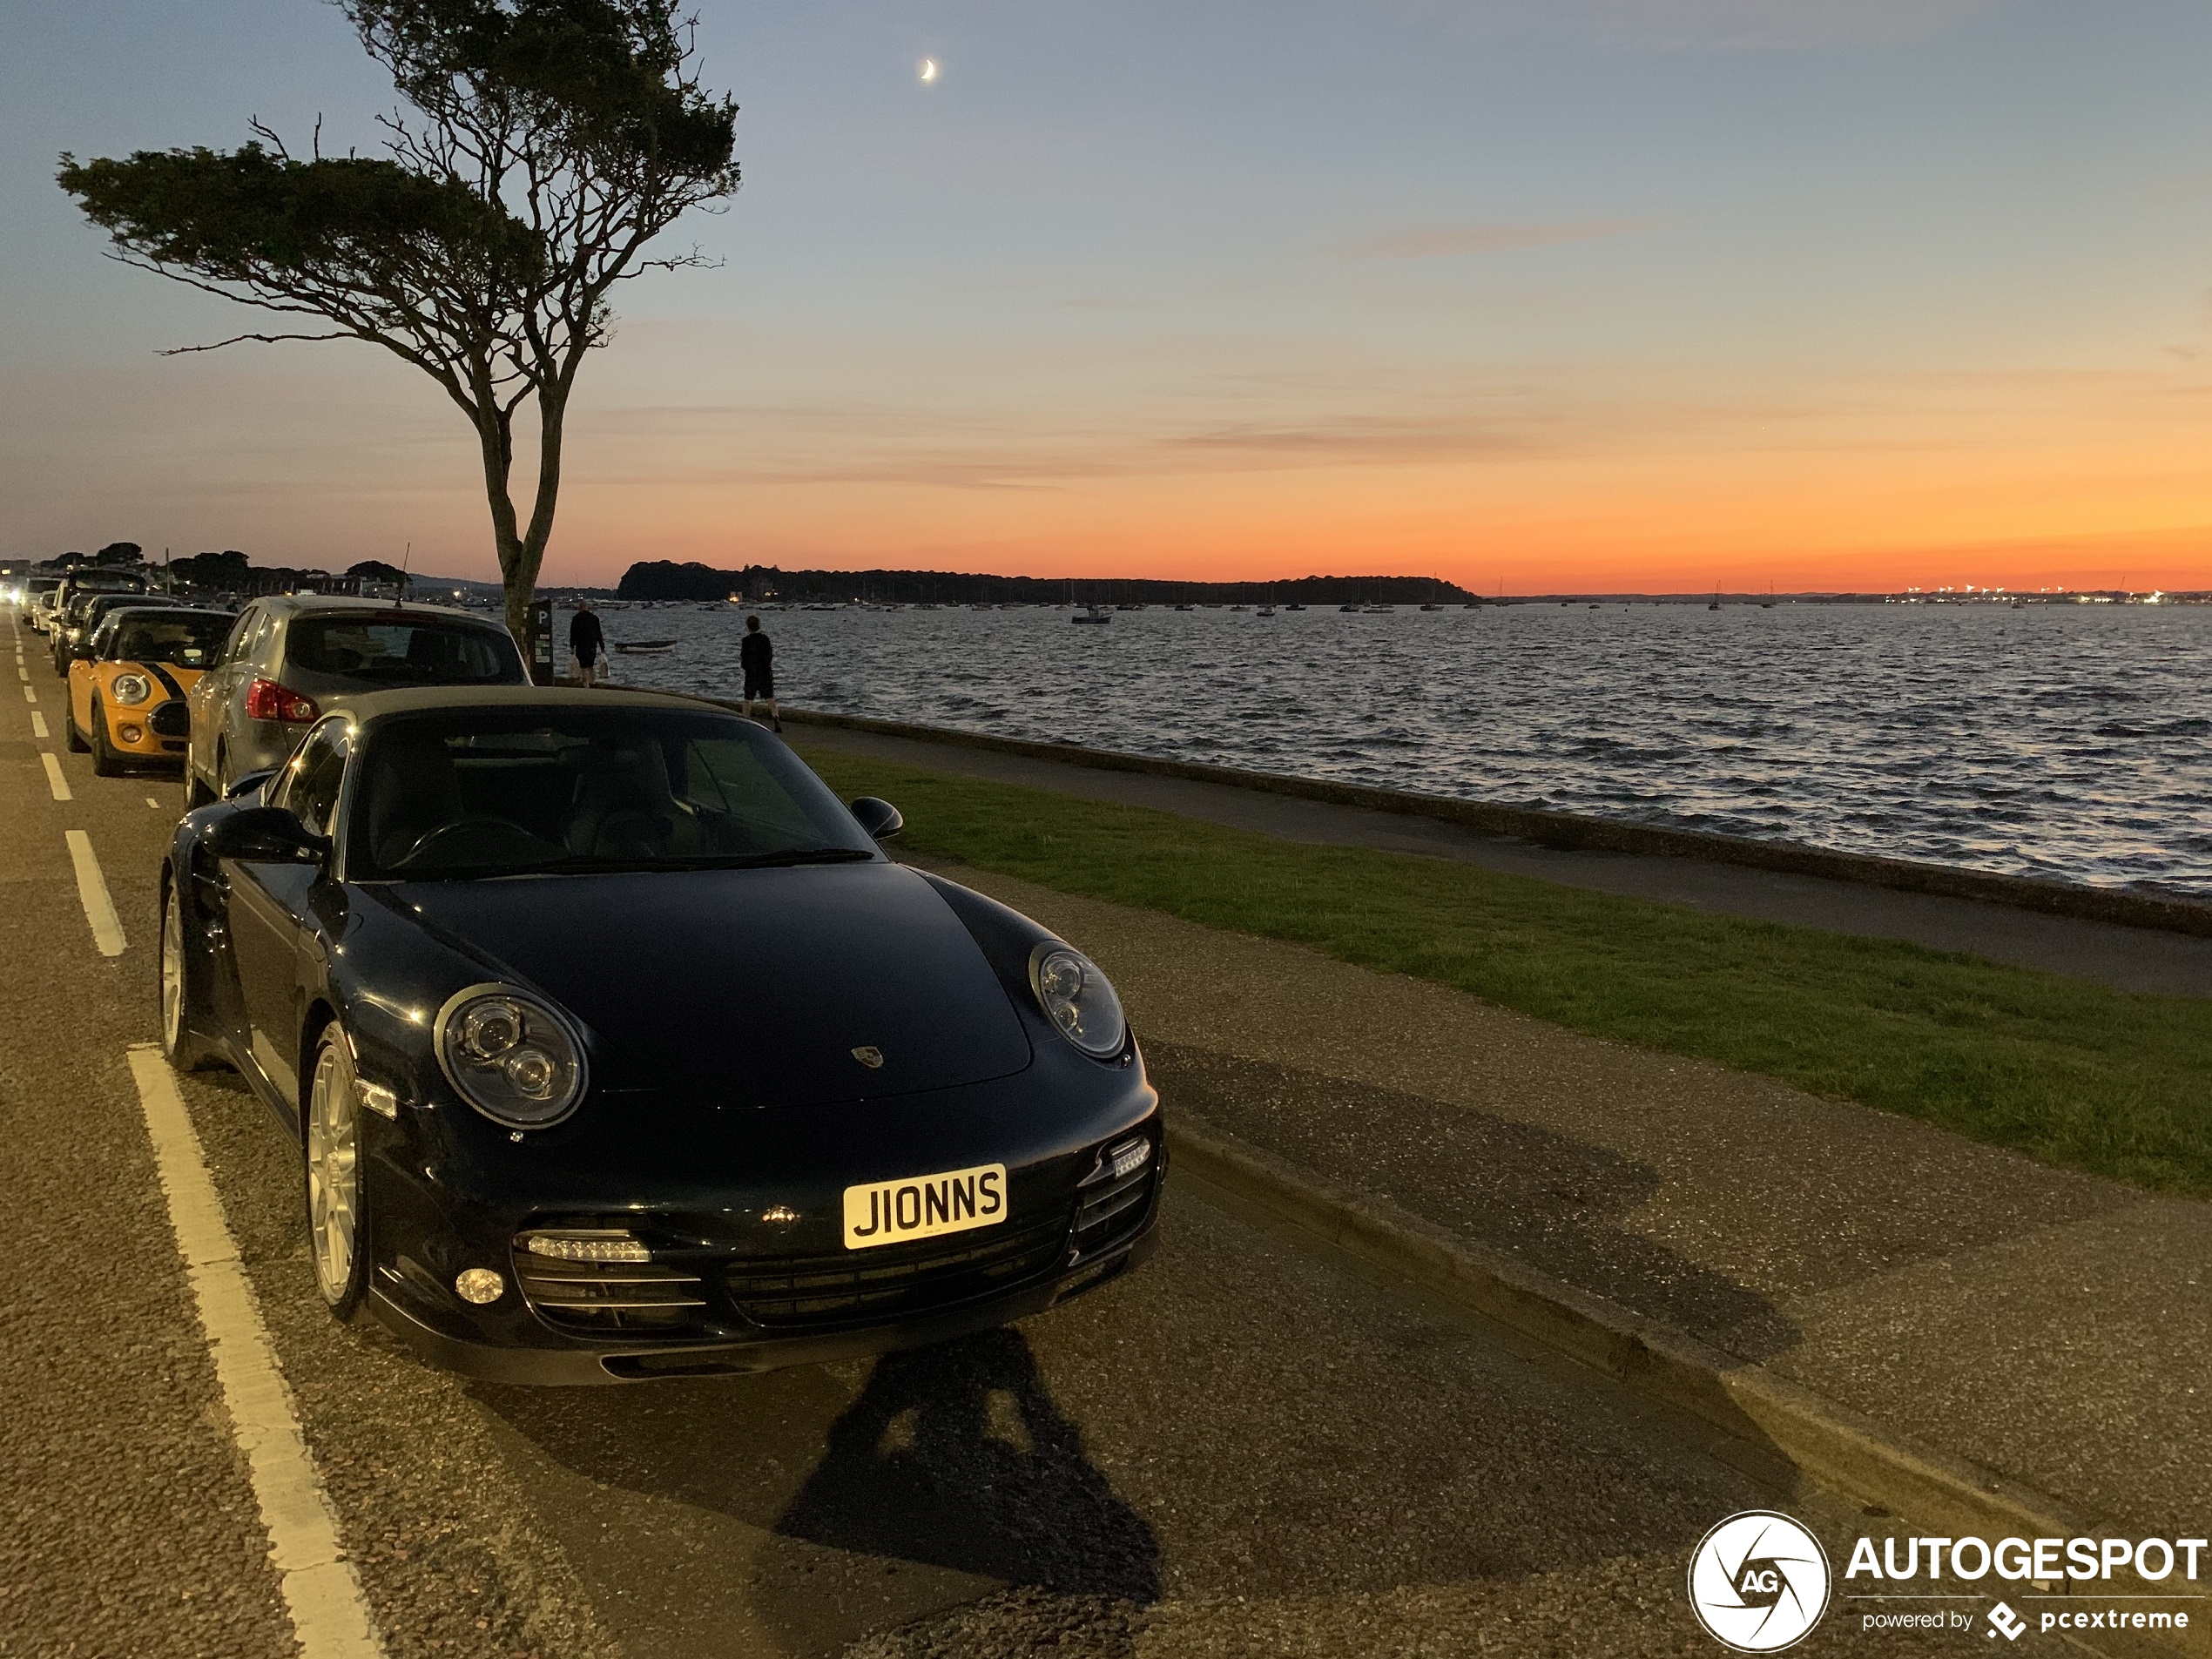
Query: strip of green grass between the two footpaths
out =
(2067, 1072)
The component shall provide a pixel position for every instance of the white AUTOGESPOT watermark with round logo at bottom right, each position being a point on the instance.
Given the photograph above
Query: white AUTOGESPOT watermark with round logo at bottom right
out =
(1760, 1583)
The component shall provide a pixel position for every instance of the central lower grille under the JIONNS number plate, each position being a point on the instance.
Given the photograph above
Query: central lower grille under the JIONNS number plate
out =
(899, 1280)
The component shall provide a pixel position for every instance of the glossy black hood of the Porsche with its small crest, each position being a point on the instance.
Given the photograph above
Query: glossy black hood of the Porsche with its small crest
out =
(744, 988)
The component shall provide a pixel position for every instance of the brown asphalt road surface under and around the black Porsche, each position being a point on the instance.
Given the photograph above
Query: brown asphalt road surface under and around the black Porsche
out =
(1249, 1448)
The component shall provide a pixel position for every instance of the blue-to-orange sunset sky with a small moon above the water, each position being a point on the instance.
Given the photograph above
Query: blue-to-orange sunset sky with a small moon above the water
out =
(1605, 295)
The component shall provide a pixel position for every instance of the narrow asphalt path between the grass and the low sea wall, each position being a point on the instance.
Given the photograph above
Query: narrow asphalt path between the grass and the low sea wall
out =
(2133, 959)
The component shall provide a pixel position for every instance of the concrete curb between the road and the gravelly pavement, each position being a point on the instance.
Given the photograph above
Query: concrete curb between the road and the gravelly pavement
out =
(1830, 1443)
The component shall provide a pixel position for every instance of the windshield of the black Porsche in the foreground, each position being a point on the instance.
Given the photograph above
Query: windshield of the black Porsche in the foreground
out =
(477, 793)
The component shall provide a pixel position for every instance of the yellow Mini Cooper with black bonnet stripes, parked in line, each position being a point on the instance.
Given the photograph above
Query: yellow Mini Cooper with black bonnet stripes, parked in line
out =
(127, 693)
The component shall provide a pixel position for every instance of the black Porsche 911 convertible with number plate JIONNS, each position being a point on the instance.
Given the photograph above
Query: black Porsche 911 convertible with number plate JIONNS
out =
(618, 1047)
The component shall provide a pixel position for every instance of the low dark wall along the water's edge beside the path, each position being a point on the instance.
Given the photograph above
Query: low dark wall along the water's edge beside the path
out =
(1550, 828)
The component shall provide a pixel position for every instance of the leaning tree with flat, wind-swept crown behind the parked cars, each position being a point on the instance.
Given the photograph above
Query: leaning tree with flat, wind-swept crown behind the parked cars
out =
(541, 149)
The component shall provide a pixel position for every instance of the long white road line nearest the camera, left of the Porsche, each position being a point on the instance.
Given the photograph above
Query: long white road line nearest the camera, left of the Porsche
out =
(320, 1585)
